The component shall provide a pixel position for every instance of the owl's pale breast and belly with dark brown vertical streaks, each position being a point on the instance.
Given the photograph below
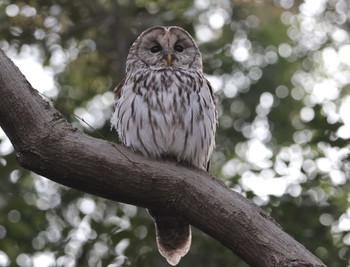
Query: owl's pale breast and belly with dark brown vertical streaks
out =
(168, 113)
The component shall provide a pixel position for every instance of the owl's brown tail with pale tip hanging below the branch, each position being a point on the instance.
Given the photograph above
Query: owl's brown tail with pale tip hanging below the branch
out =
(173, 237)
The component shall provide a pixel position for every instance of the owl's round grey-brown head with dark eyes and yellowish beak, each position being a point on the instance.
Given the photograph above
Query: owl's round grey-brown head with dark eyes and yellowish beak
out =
(165, 47)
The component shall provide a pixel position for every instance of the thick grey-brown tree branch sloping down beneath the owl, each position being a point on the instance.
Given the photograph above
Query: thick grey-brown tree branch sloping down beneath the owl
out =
(47, 145)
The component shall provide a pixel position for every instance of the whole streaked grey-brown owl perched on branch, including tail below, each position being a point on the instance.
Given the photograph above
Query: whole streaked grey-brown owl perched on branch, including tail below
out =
(166, 108)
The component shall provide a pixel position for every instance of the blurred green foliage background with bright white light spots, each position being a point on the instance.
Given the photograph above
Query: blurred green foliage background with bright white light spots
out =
(281, 72)
